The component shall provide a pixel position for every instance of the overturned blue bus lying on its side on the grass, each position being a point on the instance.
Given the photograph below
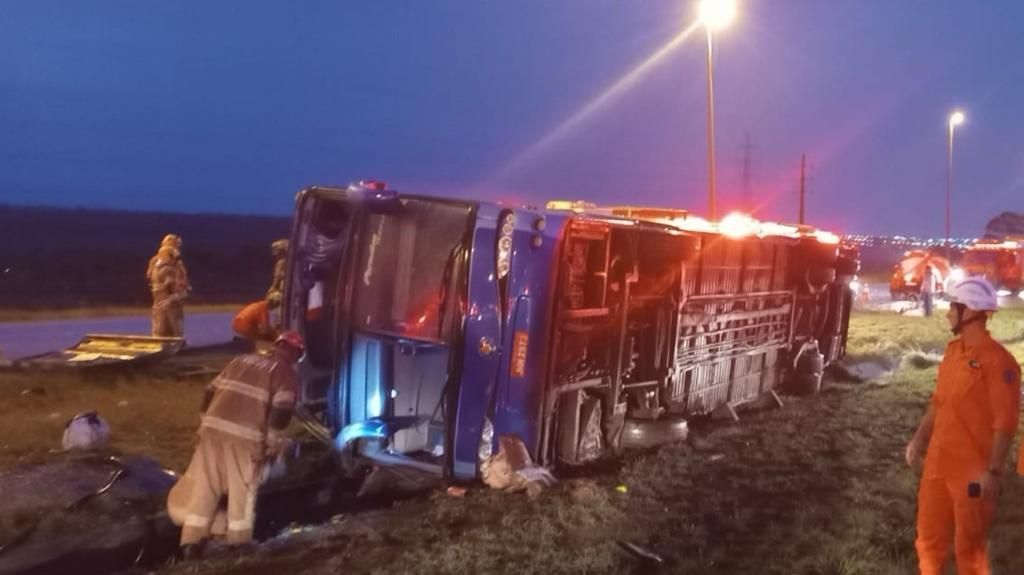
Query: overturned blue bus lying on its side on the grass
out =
(436, 327)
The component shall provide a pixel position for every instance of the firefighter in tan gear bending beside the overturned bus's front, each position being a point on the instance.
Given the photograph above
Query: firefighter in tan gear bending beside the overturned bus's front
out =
(245, 413)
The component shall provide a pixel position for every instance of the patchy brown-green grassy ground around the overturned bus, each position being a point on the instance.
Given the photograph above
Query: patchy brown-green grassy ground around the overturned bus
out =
(817, 488)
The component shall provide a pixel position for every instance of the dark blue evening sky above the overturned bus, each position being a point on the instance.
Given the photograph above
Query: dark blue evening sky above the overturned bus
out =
(235, 106)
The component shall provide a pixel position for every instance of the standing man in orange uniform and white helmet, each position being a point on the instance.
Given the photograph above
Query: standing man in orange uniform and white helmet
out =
(967, 432)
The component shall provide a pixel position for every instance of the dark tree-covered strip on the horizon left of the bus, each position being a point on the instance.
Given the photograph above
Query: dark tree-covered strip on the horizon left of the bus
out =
(57, 258)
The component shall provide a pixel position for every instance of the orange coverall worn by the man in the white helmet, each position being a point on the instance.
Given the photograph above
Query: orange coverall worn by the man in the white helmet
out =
(978, 393)
